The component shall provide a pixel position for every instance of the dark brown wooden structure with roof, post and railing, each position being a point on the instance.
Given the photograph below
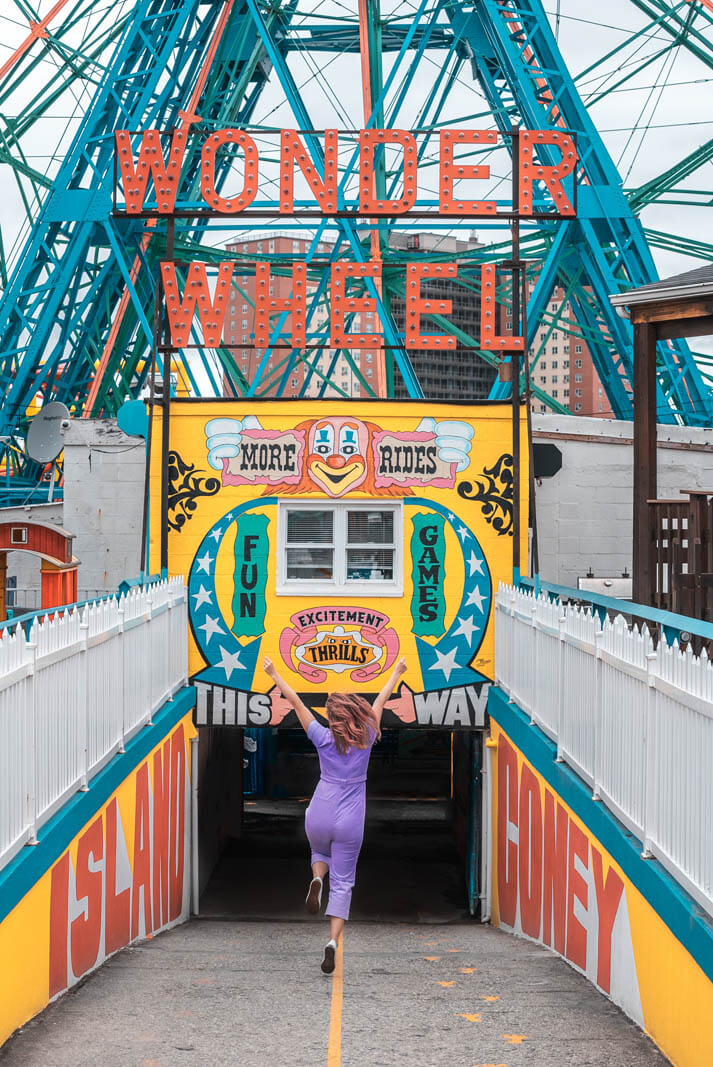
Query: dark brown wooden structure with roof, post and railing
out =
(673, 539)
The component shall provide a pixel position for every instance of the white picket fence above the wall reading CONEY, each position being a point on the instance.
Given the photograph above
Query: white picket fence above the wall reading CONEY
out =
(636, 723)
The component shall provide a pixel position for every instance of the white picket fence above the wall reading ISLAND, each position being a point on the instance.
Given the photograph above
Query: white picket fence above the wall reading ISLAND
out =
(75, 690)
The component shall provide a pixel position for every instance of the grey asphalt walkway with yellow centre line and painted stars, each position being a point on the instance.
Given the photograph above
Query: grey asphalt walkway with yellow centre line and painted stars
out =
(212, 994)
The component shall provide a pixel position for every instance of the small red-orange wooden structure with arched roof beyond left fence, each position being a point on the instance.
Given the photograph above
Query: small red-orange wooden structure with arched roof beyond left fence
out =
(59, 565)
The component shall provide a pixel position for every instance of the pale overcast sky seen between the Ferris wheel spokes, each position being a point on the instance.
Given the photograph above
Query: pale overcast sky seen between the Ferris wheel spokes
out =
(666, 113)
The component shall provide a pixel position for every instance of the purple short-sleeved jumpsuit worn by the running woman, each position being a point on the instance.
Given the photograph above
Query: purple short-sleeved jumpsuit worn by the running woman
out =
(335, 820)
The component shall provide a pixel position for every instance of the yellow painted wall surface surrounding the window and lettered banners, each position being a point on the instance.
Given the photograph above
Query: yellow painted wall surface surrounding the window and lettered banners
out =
(209, 504)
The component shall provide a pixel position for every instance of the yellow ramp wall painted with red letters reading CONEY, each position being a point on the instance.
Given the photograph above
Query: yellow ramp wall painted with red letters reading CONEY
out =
(652, 976)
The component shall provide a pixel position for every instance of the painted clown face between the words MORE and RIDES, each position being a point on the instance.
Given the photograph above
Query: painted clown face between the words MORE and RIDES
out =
(337, 454)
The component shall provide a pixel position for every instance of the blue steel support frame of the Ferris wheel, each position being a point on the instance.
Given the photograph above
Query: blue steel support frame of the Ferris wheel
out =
(60, 306)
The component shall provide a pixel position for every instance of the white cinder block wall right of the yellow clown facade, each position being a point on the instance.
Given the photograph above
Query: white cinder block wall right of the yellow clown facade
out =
(584, 514)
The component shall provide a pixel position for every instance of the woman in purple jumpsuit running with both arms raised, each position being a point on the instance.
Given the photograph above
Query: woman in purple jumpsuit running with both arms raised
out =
(335, 820)
